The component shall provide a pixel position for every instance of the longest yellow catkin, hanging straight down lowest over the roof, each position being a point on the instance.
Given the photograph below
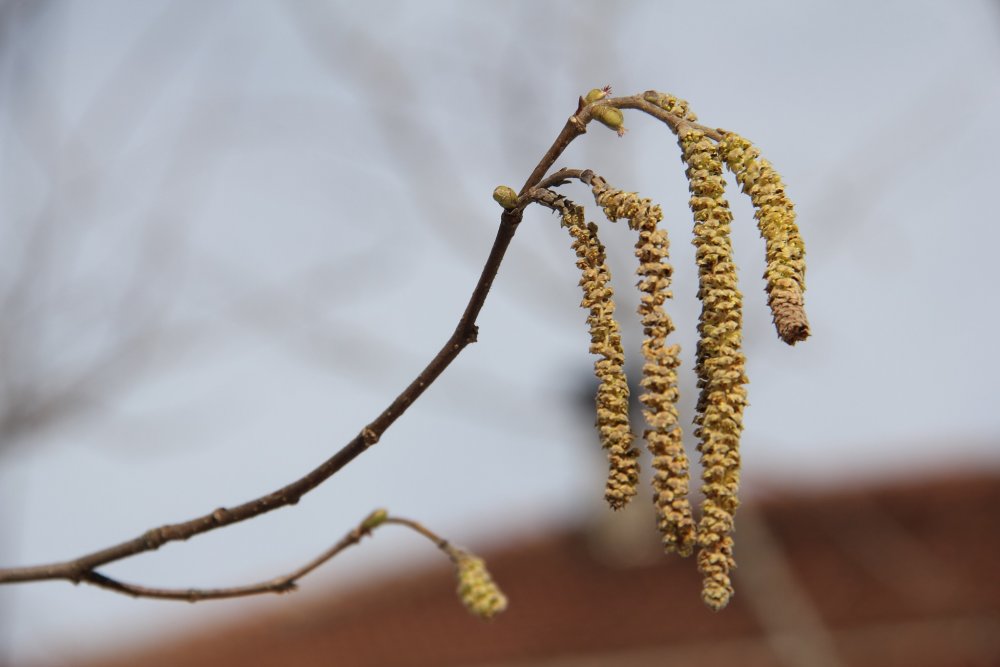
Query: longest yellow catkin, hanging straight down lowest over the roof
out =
(720, 366)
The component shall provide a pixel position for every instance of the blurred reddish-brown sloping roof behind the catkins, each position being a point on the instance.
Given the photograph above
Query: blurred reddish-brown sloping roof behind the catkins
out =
(907, 575)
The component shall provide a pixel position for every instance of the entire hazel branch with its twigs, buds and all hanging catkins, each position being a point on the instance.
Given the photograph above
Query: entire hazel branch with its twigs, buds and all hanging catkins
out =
(720, 364)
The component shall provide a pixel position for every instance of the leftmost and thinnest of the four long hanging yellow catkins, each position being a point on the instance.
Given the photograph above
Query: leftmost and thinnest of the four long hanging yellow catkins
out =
(605, 340)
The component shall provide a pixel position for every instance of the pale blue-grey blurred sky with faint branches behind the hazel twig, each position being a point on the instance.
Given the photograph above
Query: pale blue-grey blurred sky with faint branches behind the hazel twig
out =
(233, 231)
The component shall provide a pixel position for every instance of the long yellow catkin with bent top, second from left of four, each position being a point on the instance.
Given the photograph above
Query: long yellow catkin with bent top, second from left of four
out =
(671, 480)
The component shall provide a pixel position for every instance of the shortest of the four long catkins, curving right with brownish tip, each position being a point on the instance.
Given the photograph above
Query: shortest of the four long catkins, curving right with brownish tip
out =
(785, 273)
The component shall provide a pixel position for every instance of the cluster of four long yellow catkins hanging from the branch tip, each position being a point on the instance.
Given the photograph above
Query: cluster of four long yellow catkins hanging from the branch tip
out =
(720, 363)
